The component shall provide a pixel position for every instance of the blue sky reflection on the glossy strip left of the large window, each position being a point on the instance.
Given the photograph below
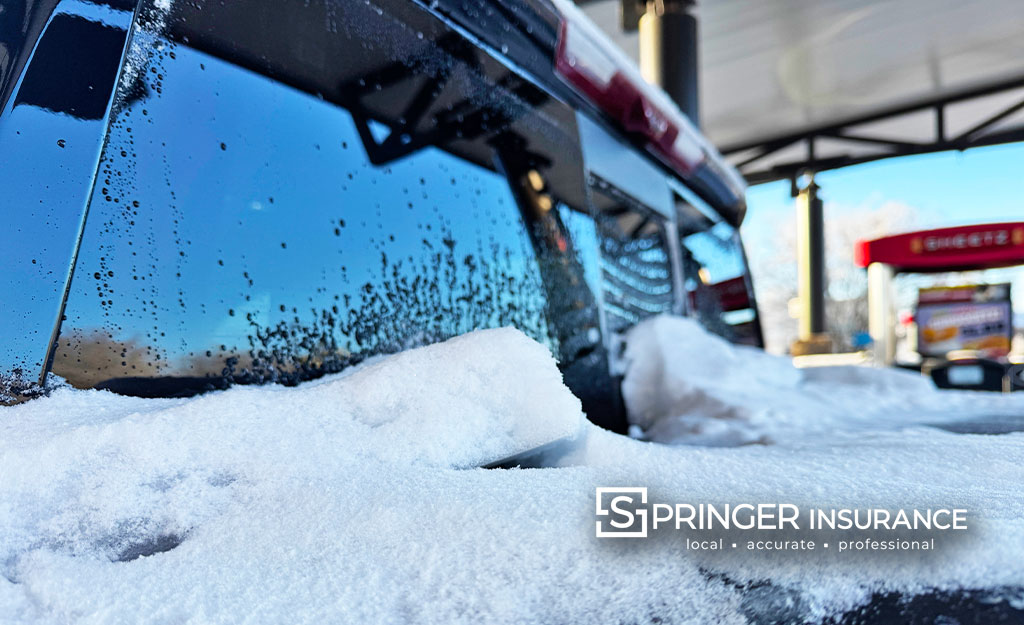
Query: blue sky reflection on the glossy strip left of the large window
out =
(47, 162)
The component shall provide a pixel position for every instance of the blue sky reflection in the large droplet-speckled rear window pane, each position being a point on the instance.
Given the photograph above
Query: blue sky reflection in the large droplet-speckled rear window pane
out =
(236, 175)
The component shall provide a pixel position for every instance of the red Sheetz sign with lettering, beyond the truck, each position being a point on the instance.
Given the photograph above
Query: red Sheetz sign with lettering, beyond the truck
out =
(948, 249)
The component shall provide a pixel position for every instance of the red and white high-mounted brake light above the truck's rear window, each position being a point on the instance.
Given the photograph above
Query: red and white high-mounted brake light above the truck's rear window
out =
(608, 78)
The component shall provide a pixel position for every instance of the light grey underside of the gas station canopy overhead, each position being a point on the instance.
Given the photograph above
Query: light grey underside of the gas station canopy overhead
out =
(793, 86)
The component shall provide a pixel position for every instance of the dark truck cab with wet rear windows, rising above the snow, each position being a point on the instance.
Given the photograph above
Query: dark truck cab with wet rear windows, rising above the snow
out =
(201, 194)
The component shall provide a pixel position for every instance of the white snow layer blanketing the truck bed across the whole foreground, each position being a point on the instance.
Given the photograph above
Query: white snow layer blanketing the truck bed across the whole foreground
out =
(355, 499)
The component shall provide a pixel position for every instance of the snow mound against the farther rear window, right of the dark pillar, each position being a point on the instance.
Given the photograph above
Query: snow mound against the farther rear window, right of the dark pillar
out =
(687, 387)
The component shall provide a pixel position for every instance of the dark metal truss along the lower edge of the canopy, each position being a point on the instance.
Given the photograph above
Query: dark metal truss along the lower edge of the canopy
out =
(974, 137)
